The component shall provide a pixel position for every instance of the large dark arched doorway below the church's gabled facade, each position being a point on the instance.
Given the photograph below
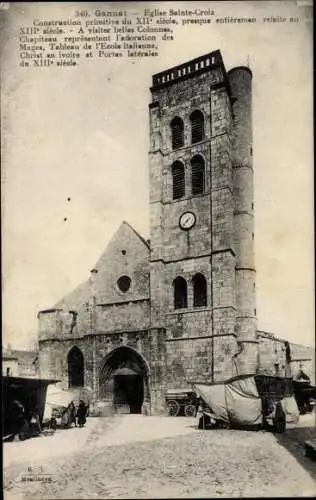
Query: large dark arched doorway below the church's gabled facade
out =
(123, 380)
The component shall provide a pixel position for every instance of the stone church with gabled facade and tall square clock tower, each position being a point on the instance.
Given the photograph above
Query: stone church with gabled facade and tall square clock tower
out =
(158, 314)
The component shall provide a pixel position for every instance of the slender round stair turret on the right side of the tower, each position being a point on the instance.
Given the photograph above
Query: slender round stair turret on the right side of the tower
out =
(240, 79)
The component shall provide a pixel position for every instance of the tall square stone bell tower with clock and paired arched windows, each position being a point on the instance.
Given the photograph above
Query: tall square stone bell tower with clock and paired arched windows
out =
(201, 224)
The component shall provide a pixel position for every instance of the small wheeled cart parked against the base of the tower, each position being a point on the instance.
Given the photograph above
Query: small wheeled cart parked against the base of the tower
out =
(181, 402)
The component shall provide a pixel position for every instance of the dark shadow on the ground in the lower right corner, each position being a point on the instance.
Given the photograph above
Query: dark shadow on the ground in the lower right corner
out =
(293, 440)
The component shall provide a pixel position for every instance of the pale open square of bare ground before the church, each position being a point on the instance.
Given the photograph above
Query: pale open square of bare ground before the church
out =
(154, 457)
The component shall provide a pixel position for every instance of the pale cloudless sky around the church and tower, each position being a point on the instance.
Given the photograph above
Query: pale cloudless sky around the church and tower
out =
(82, 133)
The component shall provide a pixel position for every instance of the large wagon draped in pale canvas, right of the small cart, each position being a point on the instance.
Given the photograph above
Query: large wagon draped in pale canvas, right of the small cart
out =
(247, 401)
